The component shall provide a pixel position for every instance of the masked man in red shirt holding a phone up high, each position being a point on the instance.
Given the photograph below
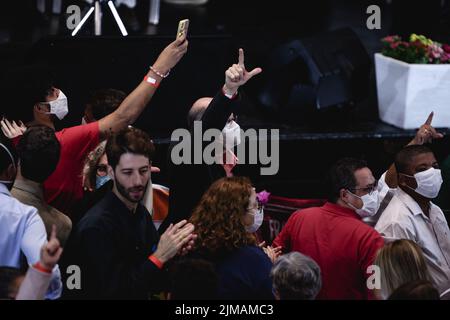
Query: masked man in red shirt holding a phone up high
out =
(63, 189)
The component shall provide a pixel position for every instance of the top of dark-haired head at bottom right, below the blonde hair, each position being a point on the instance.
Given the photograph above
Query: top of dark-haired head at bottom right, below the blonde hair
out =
(415, 290)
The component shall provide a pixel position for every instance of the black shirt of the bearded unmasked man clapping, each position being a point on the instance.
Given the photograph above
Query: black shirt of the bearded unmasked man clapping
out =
(111, 245)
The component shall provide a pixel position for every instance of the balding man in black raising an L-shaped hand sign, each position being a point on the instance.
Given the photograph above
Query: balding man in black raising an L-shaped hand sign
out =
(188, 182)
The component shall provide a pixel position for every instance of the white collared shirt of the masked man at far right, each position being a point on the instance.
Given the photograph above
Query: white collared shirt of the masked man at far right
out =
(403, 219)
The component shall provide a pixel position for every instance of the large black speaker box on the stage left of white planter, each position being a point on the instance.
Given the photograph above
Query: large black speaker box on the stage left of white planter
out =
(324, 72)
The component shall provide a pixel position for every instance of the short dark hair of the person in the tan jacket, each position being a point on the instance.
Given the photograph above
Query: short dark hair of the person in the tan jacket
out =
(39, 152)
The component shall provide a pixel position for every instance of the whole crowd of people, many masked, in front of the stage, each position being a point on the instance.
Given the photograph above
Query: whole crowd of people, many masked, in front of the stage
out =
(83, 197)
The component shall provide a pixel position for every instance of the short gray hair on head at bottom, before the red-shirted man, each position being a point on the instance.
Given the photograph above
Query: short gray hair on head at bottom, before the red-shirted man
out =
(296, 277)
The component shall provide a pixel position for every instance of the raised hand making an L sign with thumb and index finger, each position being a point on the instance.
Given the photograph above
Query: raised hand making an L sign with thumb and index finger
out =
(237, 75)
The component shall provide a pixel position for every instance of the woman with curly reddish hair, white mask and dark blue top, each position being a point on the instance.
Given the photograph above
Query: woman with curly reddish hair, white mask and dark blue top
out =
(225, 219)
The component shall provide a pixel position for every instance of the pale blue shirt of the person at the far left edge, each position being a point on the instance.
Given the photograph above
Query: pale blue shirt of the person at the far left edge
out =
(22, 231)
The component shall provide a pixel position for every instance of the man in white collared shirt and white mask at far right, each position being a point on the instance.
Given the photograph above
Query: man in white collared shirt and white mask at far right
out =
(411, 214)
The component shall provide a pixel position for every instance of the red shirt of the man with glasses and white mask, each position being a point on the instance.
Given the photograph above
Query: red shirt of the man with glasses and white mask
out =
(341, 244)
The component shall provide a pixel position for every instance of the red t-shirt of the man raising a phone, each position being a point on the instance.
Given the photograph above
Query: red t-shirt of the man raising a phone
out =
(63, 188)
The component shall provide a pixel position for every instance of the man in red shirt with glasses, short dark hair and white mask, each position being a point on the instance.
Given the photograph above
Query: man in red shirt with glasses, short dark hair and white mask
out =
(334, 235)
